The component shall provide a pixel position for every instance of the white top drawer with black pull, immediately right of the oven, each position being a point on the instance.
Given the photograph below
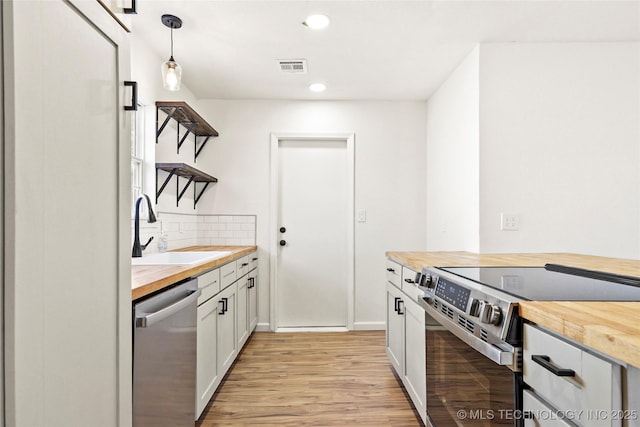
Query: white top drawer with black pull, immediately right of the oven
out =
(594, 386)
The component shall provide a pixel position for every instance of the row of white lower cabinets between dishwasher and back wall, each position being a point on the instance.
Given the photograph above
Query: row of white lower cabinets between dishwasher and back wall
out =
(226, 319)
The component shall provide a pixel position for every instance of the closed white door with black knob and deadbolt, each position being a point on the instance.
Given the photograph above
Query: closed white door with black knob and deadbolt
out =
(313, 253)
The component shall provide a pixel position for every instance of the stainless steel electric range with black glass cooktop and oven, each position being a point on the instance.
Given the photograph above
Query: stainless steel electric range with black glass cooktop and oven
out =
(474, 334)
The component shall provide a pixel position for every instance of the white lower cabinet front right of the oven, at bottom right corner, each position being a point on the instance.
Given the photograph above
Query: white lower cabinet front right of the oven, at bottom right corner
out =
(566, 379)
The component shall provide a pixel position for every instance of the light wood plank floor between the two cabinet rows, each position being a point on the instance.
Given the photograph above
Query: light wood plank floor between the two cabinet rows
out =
(311, 379)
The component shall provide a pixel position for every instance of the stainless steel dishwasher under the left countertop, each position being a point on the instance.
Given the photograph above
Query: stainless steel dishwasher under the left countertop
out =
(164, 358)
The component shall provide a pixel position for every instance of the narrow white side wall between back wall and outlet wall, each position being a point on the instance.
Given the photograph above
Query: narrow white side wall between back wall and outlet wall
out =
(453, 161)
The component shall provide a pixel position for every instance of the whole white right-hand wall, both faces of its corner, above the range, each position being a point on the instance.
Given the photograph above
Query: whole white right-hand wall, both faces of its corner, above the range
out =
(559, 144)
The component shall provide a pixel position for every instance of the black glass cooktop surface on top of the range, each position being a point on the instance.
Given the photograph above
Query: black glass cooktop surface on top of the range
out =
(553, 283)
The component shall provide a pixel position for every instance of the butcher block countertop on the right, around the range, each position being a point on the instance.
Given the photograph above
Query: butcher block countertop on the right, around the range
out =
(612, 328)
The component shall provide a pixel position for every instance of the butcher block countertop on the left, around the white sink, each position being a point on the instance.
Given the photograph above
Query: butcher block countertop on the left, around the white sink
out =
(146, 279)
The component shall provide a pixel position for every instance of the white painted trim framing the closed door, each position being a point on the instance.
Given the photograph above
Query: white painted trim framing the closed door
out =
(349, 139)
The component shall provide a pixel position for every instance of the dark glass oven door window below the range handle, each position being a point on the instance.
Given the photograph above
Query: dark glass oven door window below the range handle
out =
(464, 388)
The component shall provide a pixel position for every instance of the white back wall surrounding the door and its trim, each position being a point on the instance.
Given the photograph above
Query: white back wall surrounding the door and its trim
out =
(389, 181)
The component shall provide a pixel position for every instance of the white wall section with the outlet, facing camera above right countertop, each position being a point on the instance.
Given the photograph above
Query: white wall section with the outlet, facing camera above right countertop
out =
(559, 144)
